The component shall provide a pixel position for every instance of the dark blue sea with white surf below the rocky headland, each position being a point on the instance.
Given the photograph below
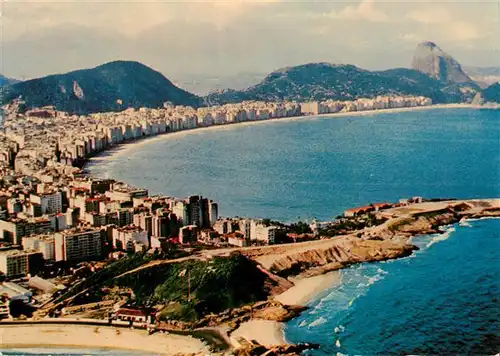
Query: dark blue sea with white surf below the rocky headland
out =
(445, 299)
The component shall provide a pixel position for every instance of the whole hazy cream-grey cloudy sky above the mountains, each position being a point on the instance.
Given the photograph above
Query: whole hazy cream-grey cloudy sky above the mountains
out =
(188, 38)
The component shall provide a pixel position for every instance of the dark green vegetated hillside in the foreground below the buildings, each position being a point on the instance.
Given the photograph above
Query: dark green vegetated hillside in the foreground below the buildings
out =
(189, 289)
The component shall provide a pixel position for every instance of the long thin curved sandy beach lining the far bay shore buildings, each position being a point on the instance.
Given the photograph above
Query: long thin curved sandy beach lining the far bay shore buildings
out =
(123, 148)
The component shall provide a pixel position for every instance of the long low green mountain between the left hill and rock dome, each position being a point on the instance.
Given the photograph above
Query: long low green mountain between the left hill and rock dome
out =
(321, 81)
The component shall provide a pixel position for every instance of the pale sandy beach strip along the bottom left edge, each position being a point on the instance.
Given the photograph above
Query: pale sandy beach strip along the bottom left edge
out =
(91, 337)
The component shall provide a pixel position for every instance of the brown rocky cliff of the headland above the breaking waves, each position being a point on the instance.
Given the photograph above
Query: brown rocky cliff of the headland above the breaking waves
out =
(383, 242)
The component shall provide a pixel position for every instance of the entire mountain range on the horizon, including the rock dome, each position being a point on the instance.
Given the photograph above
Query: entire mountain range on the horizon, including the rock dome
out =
(117, 85)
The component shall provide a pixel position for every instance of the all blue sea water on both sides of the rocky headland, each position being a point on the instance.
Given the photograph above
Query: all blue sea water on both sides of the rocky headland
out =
(444, 299)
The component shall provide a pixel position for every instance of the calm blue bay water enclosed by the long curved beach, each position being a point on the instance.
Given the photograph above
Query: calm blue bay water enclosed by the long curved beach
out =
(319, 167)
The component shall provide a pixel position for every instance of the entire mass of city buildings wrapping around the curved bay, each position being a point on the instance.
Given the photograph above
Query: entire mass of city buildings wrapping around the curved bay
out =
(51, 212)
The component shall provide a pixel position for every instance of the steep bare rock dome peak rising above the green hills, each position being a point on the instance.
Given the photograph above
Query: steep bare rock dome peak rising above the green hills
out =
(433, 61)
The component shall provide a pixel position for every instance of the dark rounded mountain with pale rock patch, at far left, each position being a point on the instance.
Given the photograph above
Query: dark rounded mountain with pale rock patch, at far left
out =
(112, 86)
